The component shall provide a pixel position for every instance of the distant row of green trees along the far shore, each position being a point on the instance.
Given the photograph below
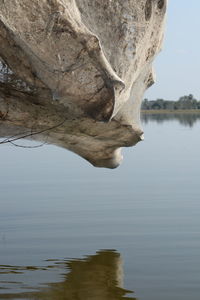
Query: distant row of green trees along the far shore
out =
(184, 102)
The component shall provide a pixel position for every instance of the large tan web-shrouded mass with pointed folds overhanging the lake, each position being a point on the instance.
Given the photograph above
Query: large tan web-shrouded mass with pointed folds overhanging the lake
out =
(76, 71)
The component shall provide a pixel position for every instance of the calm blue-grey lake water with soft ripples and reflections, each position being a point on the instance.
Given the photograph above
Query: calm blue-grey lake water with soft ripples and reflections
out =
(72, 231)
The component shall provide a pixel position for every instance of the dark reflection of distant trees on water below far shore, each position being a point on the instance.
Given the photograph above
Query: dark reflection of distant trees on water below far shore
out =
(186, 119)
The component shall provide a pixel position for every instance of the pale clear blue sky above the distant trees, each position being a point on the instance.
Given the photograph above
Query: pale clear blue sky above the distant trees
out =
(177, 67)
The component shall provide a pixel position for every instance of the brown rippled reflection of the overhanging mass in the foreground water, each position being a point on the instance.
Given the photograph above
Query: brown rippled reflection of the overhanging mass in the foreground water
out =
(97, 277)
